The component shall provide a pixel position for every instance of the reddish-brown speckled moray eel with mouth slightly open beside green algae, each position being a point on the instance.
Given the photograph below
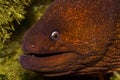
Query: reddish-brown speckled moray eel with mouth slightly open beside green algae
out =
(80, 37)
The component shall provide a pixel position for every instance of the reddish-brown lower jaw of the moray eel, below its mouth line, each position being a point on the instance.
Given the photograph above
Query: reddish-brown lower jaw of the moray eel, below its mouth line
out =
(55, 65)
